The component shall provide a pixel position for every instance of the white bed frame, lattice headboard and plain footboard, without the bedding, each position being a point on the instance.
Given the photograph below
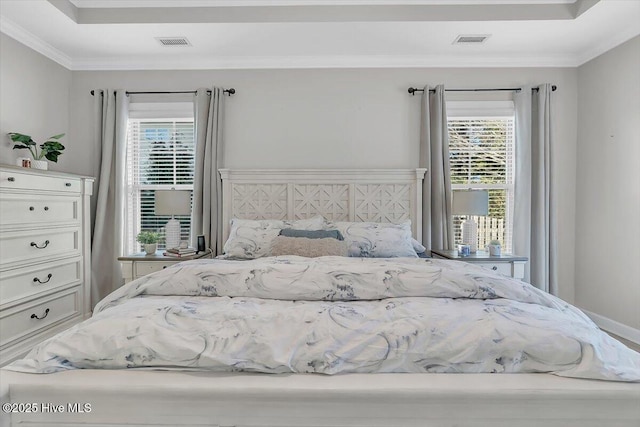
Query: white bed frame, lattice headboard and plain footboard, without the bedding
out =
(190, 398)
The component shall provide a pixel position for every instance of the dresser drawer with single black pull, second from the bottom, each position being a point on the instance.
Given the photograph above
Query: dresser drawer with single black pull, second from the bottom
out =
(30, 281)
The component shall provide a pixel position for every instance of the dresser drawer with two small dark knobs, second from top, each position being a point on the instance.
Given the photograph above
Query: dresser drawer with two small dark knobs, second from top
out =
(19, 211)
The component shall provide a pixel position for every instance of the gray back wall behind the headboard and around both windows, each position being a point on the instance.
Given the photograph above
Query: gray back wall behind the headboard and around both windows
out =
(329, 119)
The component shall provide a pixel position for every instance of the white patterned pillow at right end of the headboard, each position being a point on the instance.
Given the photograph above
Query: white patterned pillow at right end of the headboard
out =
(377, 240)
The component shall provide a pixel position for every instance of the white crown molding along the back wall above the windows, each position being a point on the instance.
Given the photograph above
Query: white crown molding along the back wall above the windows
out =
(298, 62)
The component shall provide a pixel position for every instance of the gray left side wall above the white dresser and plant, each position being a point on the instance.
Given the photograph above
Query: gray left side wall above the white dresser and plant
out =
(34, 99)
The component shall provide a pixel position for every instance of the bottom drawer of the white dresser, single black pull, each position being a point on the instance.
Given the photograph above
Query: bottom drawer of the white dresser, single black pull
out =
(37, 315)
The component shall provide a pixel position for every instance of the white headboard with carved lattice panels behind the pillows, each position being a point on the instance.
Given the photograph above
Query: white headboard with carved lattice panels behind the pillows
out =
(375, 195)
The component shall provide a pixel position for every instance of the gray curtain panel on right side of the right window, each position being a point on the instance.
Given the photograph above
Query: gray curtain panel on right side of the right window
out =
(534, 228)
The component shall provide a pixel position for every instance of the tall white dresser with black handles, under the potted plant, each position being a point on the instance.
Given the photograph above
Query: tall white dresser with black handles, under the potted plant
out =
(45, 256)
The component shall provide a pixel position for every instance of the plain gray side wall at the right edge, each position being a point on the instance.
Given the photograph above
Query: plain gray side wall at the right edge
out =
(608, 185)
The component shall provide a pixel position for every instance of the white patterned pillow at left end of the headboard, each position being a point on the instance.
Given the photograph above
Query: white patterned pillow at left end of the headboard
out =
(251, 239)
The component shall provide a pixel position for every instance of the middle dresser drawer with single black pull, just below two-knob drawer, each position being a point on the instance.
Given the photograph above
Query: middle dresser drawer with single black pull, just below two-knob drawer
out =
(24, 248)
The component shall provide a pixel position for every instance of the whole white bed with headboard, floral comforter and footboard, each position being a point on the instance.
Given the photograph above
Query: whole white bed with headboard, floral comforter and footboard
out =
(293, 341)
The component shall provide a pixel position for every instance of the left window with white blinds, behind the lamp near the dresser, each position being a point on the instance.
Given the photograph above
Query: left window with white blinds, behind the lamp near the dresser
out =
(160, 156)
